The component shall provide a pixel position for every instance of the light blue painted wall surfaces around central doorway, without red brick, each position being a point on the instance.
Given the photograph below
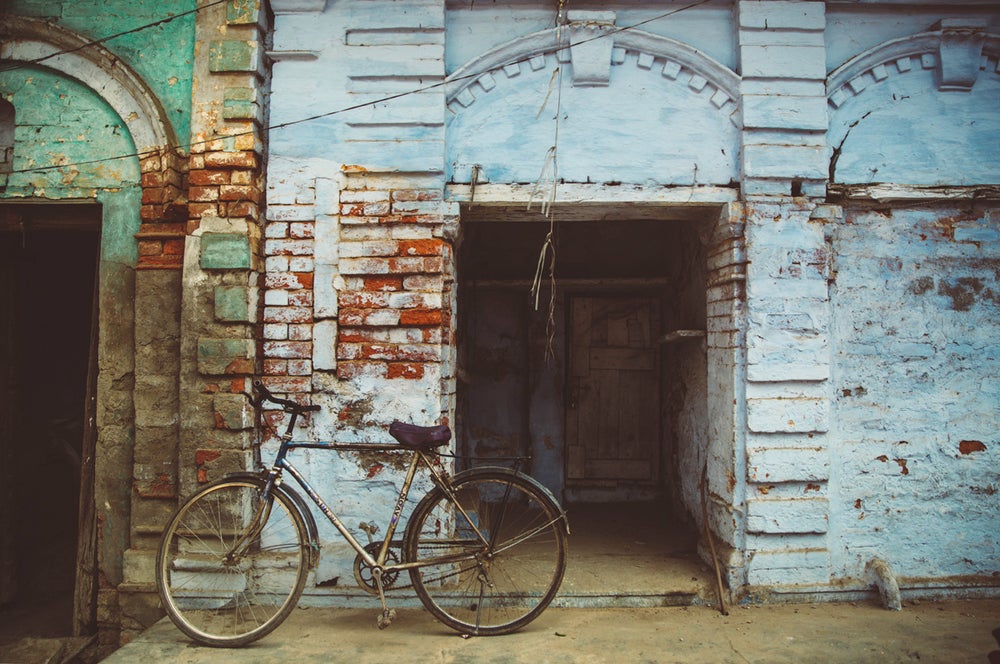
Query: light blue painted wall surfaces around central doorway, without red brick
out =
(817, 275)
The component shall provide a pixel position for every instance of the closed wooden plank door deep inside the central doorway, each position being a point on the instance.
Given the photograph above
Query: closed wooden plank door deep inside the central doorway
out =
(612, 428)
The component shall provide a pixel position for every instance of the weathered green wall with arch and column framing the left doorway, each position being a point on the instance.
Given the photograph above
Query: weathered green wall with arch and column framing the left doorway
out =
(110, 114)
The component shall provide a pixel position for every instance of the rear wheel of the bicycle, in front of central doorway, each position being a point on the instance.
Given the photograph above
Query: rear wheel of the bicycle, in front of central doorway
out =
(492, 560)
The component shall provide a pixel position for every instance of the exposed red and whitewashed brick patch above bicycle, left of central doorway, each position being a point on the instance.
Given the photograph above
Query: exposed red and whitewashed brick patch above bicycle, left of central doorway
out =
(392, 313)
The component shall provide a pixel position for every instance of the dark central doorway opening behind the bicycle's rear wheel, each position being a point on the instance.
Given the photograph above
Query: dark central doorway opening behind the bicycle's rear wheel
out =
(582, 380)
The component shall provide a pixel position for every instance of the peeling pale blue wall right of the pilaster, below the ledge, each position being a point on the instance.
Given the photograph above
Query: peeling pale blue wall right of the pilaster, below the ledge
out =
(916, 473)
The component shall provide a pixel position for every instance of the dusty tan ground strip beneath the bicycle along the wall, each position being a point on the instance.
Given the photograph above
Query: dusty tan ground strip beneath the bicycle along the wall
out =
(950, 632)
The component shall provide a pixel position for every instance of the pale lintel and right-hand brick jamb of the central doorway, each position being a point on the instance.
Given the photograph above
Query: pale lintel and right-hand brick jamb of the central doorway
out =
(721, 213)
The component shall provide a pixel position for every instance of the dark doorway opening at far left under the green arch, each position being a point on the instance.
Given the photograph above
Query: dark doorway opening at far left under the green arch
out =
(48, 267)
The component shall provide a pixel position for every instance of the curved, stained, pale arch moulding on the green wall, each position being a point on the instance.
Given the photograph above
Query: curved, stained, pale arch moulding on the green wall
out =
(26, 40)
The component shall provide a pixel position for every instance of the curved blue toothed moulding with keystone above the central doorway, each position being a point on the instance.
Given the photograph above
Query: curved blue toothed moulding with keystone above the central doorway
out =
(677, 62)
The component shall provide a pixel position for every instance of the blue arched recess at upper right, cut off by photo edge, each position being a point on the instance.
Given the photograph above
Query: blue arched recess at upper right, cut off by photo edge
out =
(936, 92)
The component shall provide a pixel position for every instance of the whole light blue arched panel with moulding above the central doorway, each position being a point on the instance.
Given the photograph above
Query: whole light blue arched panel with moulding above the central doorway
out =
(623, 89)
